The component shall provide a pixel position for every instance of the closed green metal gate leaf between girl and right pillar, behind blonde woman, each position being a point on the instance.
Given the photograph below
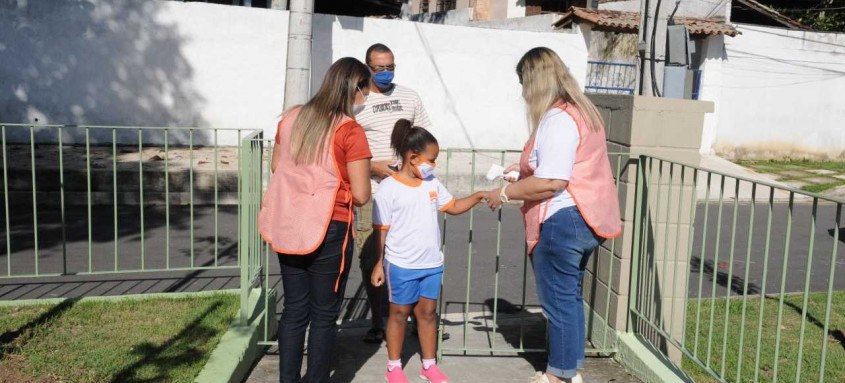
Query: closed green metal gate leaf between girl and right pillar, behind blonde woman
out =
(455, 244)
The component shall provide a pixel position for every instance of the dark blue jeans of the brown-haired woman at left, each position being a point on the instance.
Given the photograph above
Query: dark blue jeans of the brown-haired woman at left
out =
(310, 299)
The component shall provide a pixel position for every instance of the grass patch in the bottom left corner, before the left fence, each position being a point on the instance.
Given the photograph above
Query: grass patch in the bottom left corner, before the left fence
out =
(149, 340)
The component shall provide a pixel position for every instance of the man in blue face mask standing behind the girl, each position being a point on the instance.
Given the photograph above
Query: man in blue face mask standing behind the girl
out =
(386, 104)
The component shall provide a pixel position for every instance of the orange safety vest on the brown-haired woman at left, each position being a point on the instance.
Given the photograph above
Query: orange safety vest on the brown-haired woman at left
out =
(299, 202)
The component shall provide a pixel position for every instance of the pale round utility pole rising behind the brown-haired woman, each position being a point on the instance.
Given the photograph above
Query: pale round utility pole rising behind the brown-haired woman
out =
(298, 73)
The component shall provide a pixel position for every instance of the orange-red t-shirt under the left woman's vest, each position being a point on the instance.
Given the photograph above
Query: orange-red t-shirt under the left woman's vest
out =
(350, 144)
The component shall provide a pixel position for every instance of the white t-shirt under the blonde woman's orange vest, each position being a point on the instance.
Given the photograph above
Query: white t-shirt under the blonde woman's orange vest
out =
(553, 156)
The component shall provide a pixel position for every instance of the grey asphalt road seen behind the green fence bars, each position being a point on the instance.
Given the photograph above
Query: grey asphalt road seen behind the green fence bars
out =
(470, 266)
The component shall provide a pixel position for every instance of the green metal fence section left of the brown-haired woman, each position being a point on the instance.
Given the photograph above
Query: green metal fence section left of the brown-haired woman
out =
(82, 200)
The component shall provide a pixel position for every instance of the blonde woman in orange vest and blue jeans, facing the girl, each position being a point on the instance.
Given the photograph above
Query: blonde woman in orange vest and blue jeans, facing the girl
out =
(570, 201)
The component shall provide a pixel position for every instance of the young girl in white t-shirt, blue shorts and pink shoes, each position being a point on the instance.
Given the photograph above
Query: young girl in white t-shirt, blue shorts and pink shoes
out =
(408, 245)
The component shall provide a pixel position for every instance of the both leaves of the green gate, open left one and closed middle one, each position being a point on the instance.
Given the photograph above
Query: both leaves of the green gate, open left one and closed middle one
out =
(502, 239)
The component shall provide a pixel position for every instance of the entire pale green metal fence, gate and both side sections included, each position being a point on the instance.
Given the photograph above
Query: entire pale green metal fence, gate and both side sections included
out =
(731, 279)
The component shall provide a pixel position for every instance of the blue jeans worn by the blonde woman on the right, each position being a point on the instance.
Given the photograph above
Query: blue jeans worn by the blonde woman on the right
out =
(559, 260)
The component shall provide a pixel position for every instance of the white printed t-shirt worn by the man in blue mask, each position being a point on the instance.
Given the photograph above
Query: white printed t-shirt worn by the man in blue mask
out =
(382, 110)
